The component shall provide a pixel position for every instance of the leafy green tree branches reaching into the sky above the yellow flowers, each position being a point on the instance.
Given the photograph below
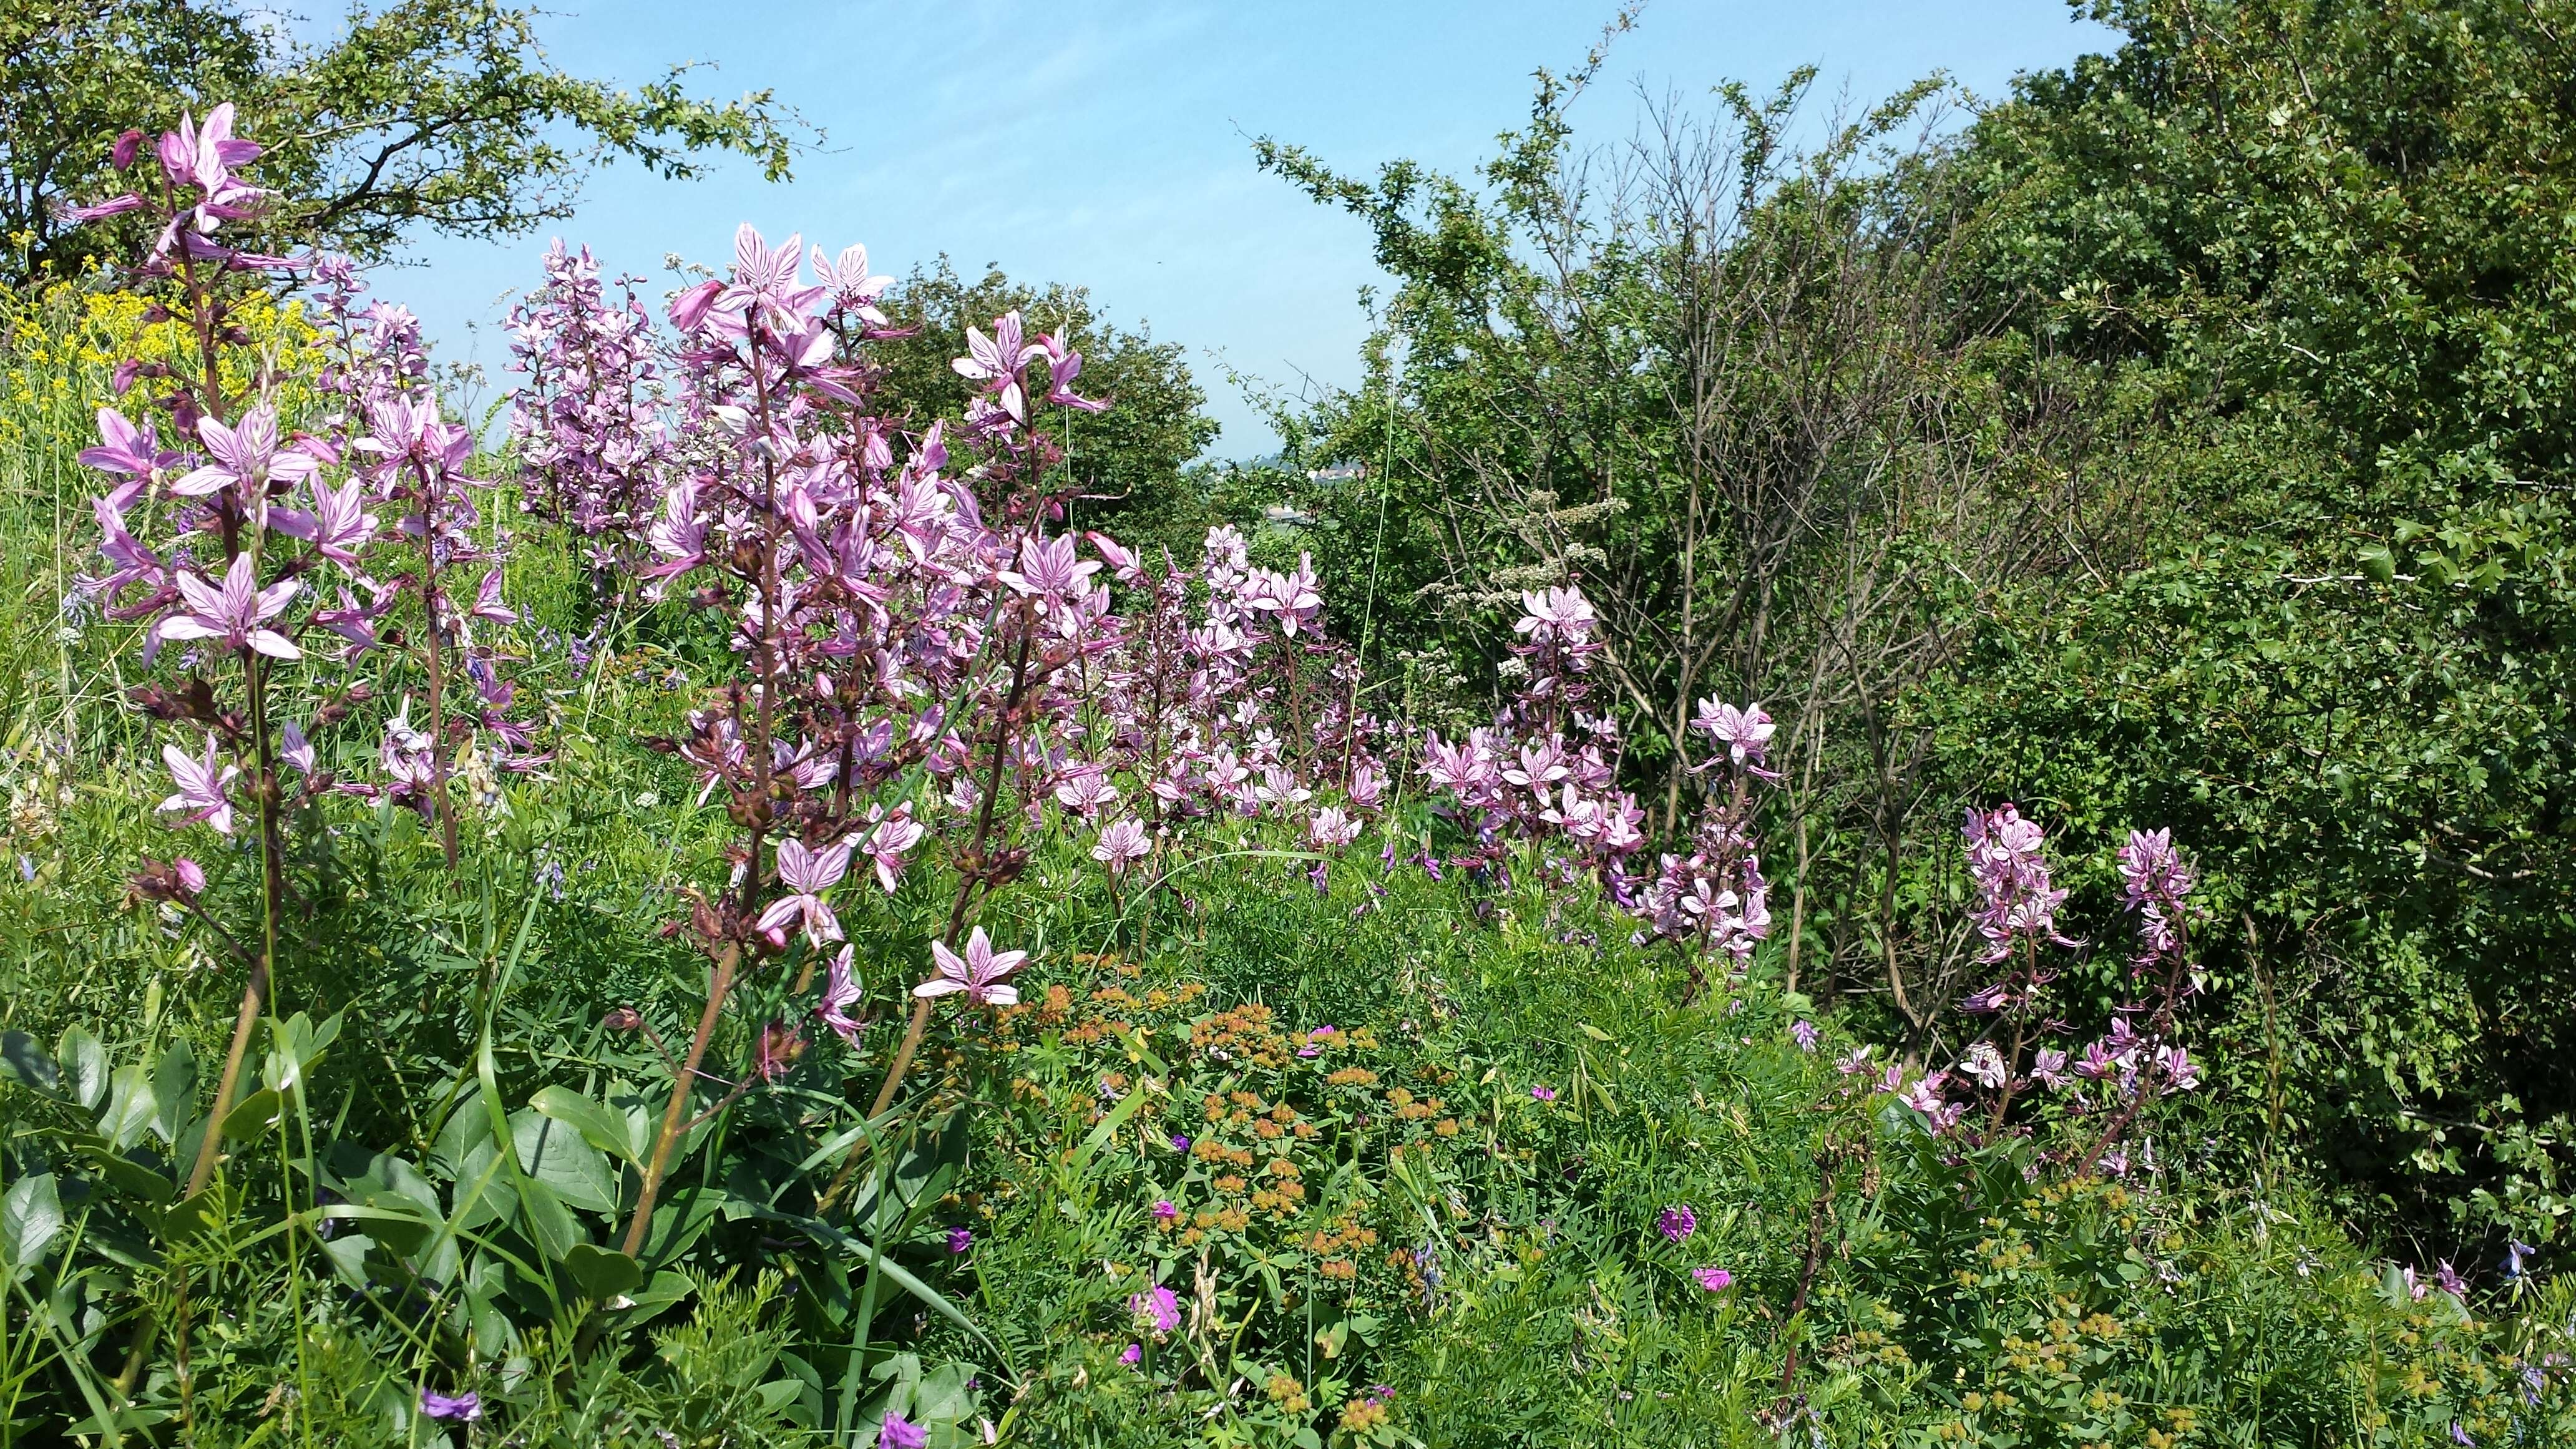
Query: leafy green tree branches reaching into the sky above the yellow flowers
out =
(439, 115)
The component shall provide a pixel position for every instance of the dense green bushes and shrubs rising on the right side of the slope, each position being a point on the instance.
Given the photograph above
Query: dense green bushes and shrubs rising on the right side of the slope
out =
(2181, 440)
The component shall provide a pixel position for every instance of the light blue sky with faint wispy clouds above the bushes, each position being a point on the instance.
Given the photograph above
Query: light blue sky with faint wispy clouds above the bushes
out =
(1112, 146)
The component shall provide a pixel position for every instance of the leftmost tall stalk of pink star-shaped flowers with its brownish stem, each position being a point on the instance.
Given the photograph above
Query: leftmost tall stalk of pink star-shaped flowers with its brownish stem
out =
(218, 535)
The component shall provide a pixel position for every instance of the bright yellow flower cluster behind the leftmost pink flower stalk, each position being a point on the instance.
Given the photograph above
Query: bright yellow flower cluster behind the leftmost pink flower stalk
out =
(58, 355)
